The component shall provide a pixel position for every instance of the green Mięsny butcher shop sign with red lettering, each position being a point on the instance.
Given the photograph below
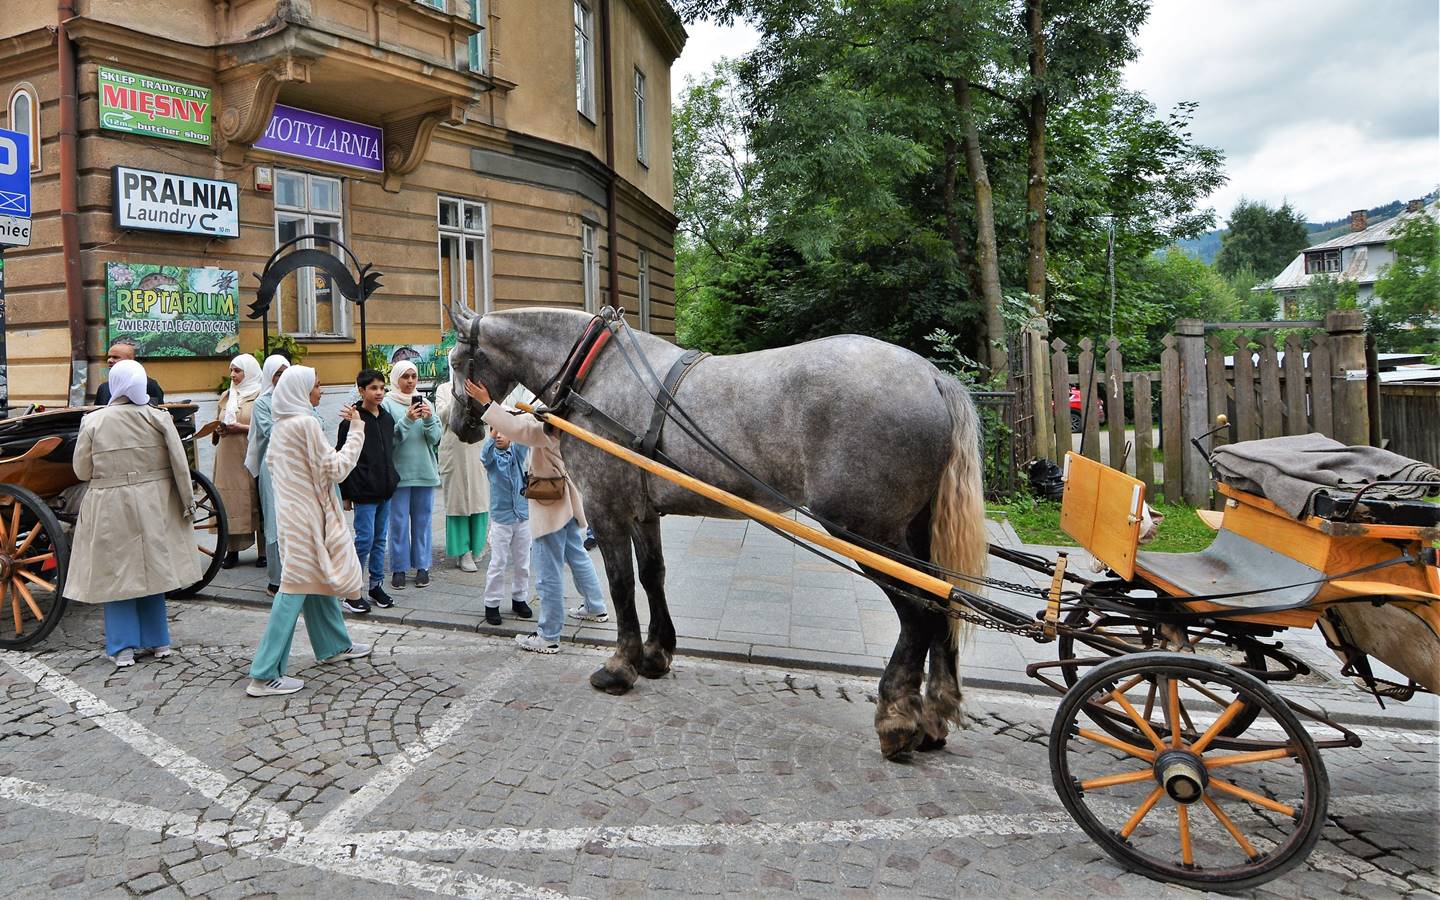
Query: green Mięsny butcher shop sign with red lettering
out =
(155, 107)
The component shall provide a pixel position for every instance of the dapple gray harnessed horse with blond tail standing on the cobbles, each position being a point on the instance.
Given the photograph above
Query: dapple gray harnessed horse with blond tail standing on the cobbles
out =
(868, 436)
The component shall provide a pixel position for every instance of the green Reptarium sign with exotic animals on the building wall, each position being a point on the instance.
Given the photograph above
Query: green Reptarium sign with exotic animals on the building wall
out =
(174, 310)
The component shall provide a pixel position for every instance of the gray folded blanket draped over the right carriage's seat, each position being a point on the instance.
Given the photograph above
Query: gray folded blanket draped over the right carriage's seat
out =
(1291, 472)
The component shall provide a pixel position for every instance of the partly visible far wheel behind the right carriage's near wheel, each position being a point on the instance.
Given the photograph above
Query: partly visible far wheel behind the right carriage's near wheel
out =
(1144, 637)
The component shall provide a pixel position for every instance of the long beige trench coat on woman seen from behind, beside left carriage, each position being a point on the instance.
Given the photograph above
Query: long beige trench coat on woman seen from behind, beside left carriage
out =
(135, 535)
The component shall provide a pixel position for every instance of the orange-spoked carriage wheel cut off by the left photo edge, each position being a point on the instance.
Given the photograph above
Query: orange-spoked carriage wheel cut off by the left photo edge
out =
(34, 555)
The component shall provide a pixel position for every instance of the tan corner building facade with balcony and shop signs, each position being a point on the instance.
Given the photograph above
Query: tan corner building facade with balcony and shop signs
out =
(499, 153)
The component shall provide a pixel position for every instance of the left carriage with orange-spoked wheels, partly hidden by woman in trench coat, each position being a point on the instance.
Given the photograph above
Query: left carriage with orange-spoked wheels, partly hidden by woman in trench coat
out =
(40, 500)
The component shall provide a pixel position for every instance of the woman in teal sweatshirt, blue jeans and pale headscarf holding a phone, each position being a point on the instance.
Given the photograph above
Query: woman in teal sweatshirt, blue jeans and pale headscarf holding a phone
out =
(417, 441)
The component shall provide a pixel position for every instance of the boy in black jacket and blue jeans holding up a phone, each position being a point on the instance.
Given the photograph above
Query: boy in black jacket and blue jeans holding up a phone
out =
(371, 485)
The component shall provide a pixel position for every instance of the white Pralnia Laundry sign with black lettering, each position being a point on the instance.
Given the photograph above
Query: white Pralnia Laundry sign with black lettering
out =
(163, 202)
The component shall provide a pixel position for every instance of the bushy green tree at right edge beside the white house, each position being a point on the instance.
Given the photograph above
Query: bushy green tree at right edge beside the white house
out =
(1406, 315)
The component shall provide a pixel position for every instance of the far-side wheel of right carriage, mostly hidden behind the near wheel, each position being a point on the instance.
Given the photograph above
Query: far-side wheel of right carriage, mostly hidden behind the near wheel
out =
(1143, 637)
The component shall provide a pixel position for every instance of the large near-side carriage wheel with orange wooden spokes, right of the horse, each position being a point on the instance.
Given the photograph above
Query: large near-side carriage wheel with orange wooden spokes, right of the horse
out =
(1189, 804)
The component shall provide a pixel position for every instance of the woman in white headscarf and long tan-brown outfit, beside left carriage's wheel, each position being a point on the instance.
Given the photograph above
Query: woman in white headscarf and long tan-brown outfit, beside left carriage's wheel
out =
(237, 486)
